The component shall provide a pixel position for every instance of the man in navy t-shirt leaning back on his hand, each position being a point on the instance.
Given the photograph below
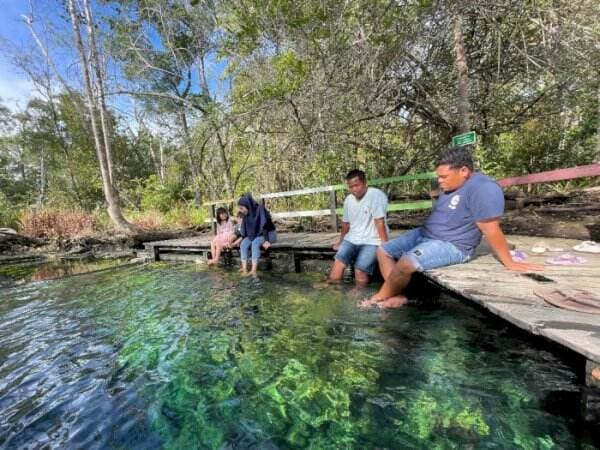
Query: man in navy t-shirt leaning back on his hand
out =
(470, 205)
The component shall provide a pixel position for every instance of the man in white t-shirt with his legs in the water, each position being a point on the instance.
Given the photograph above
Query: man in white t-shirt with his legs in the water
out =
(364, 229)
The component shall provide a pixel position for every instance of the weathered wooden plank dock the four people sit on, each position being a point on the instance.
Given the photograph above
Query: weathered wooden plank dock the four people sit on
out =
(508, 295)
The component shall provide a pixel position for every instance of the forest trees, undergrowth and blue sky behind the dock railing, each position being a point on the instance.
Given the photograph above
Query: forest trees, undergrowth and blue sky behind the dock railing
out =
(142, 110)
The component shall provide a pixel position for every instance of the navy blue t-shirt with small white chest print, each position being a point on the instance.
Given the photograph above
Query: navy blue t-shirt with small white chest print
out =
(455, 214)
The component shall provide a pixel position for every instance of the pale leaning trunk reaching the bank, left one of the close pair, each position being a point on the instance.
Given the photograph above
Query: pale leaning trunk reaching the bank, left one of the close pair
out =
(110, 194)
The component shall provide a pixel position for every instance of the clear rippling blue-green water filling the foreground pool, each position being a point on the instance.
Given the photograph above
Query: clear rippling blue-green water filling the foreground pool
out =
(177, 357)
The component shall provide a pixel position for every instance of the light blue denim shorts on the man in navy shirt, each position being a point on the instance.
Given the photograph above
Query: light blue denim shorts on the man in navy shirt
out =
(424, 253)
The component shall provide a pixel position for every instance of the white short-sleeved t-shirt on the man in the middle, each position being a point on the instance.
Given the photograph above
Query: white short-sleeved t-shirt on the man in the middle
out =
(360, 214)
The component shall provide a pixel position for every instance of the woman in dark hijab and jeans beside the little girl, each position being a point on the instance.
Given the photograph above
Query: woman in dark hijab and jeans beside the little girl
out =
(257, 230)
